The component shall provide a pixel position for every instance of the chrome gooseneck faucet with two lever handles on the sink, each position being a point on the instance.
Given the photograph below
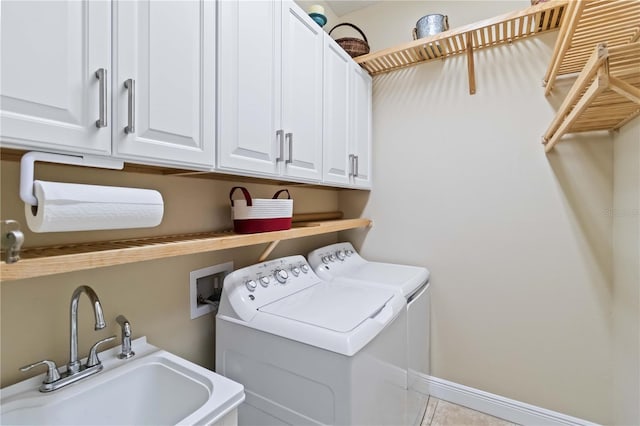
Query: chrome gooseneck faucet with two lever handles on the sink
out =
(75, 371)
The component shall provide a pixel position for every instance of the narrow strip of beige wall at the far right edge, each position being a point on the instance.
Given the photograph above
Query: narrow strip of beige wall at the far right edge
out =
(626, 273)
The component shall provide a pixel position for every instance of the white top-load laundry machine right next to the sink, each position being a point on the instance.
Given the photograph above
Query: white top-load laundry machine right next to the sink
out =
(310, 351)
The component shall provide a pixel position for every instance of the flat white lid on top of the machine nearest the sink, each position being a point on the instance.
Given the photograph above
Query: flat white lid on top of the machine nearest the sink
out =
(337, 307)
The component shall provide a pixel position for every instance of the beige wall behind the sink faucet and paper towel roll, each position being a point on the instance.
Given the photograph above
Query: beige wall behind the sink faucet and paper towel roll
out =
(154, 295)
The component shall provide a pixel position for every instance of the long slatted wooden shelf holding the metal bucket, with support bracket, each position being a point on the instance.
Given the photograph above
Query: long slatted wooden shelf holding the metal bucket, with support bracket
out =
(496, 31)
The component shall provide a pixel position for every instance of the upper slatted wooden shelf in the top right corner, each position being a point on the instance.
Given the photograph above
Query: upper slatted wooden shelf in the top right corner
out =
(588, 23)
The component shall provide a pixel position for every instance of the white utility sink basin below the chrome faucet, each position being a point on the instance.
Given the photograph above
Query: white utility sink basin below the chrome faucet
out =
(155, 387)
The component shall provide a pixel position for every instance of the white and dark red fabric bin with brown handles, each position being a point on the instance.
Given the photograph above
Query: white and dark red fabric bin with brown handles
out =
(253, 215)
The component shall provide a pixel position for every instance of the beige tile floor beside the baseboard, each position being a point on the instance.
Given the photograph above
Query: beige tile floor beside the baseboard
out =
(443, 413)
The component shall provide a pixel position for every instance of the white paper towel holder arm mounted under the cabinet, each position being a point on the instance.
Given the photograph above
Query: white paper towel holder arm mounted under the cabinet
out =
(27, 168)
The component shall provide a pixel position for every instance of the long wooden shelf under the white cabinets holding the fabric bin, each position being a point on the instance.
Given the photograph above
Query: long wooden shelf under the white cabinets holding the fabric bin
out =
(37, 262)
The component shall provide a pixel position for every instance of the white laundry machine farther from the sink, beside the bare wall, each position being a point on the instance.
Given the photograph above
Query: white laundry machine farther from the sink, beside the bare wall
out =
(341, 261)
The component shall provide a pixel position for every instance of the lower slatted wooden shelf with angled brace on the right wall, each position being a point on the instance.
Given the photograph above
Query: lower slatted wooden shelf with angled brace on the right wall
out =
(605, 96)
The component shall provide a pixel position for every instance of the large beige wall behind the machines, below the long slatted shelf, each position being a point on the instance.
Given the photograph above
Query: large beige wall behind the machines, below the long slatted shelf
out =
(518, 242)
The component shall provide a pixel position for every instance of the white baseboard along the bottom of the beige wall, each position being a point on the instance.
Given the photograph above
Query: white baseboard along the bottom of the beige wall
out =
(494, 405)
